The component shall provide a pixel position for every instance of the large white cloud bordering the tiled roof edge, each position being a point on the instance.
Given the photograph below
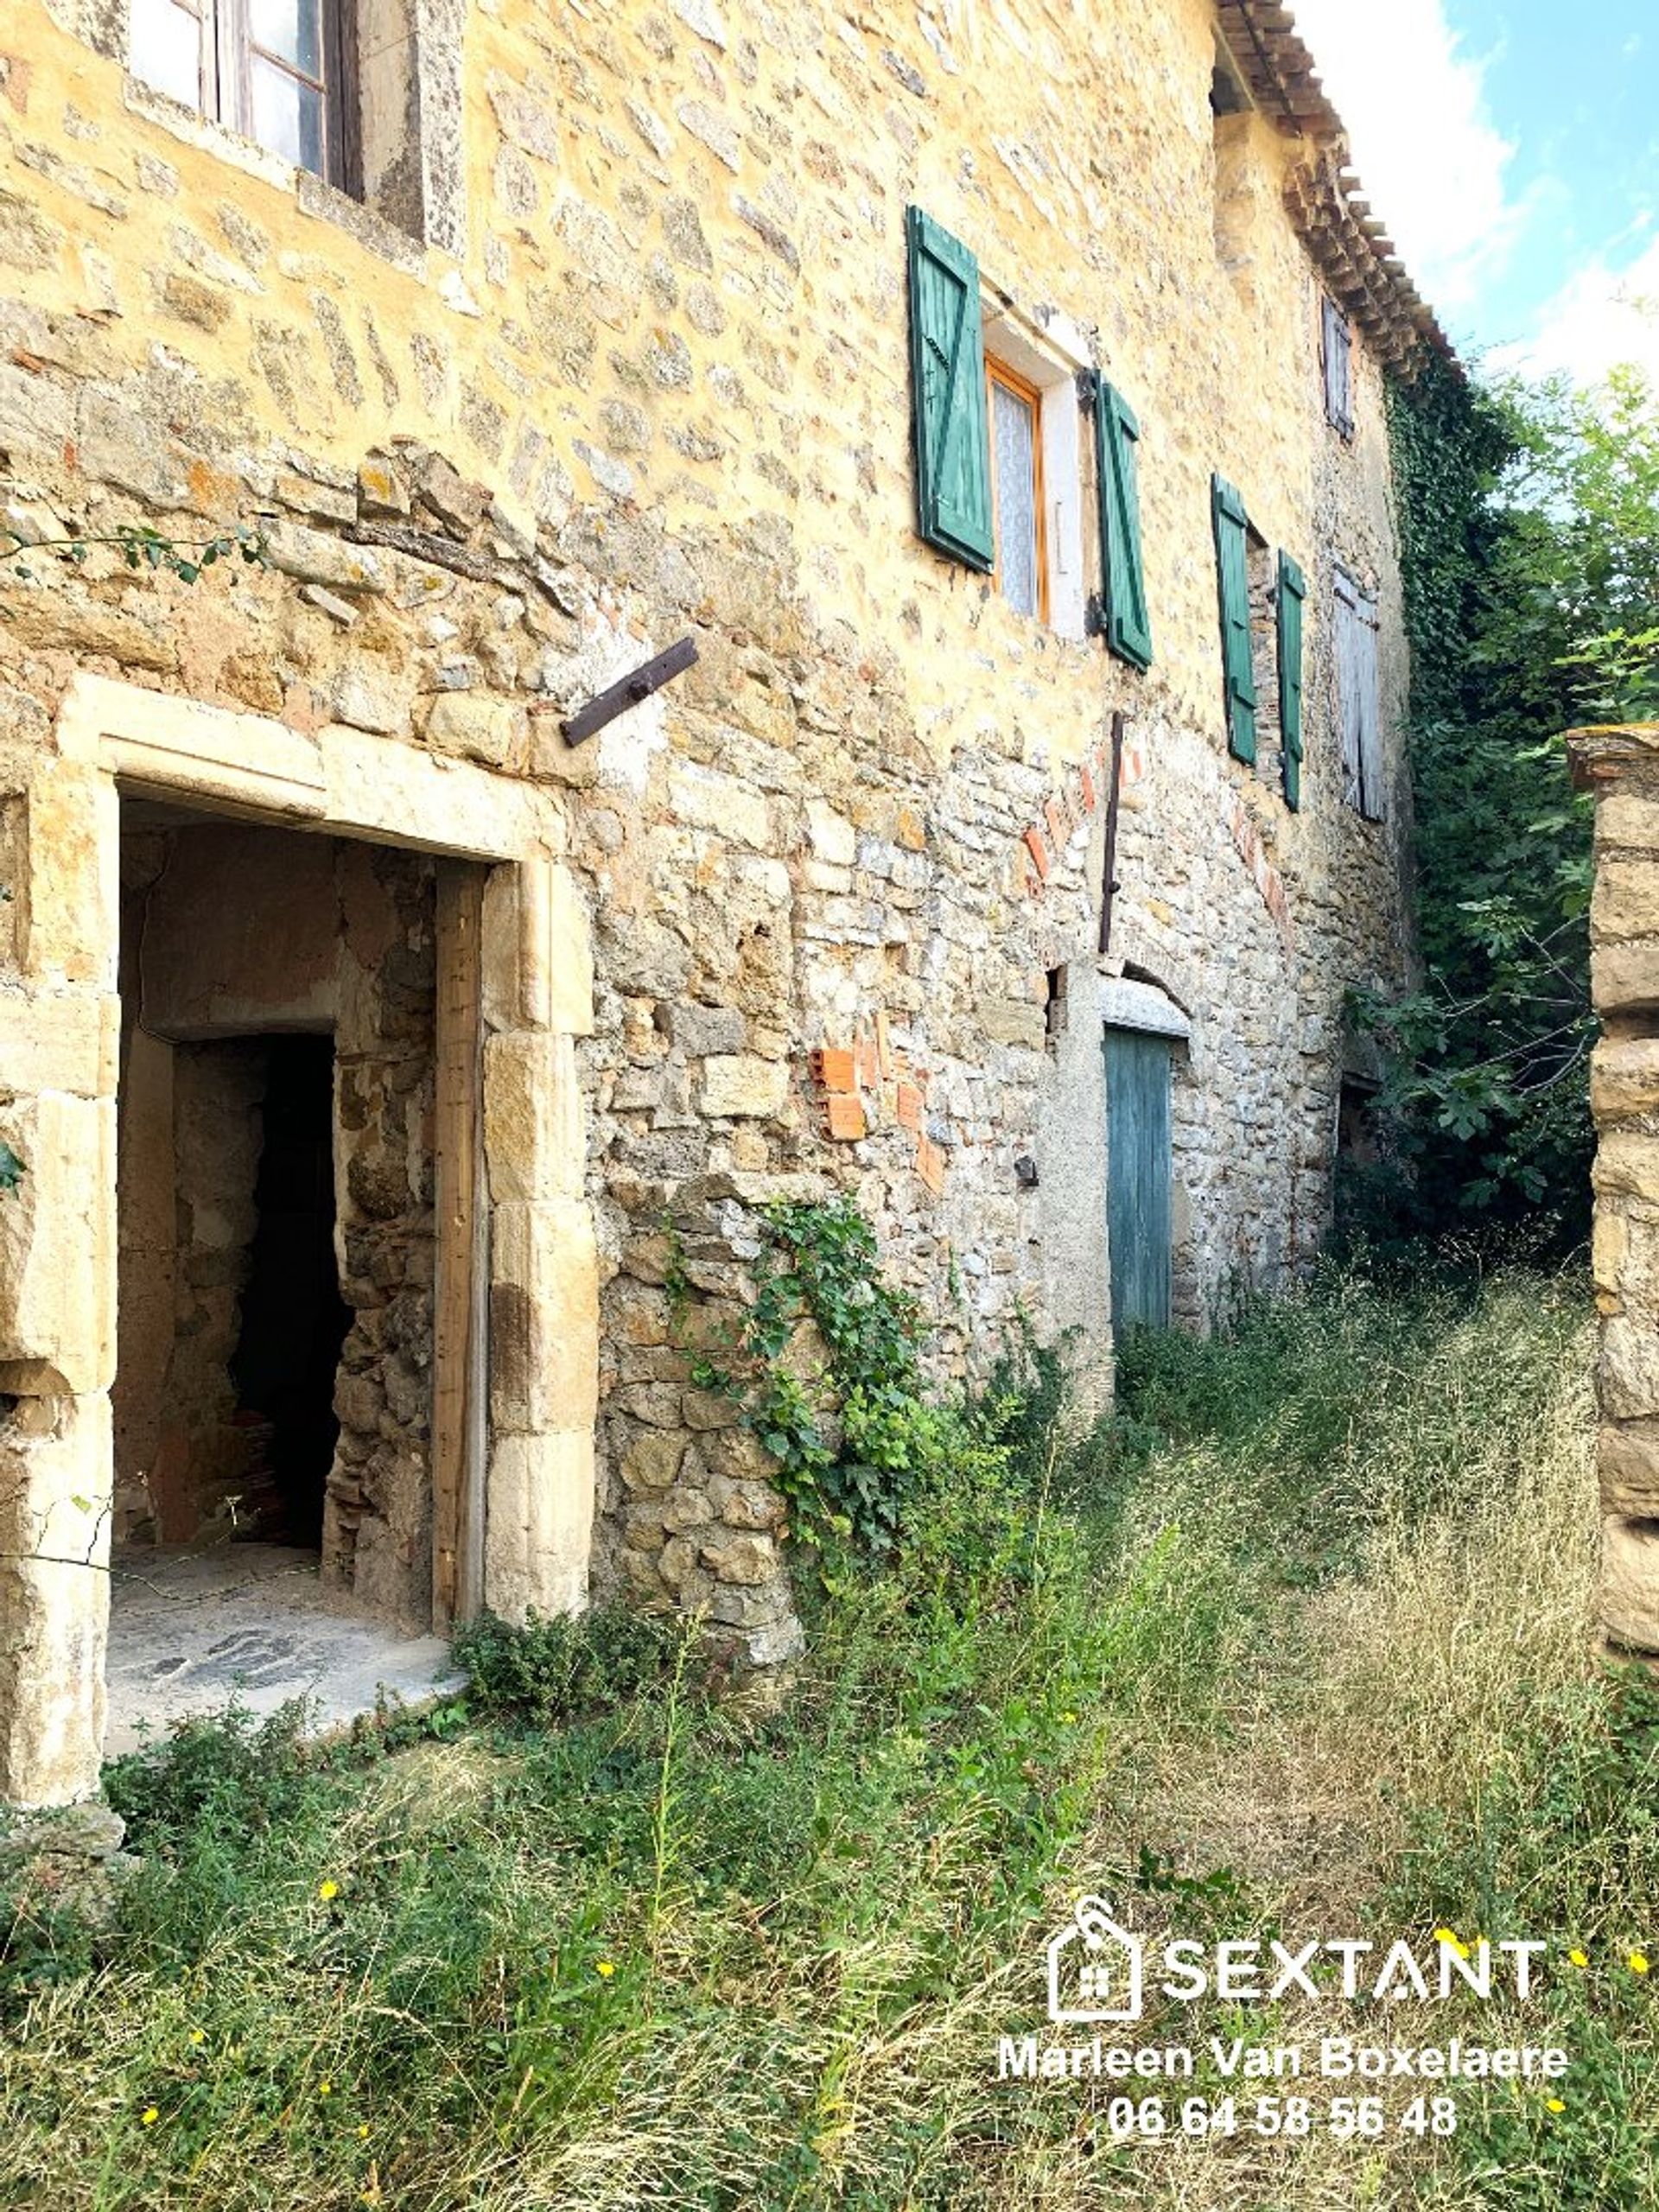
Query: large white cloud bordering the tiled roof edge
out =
(1432, 160)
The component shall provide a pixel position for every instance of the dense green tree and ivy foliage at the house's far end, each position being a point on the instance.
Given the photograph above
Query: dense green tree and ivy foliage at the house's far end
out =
(1530, 523)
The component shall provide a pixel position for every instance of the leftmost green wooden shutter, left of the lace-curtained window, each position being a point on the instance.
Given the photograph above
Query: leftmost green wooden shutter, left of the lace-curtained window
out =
(948, 395)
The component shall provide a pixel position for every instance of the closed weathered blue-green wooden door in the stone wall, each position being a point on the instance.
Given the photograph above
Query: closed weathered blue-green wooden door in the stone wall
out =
(1138, 1176)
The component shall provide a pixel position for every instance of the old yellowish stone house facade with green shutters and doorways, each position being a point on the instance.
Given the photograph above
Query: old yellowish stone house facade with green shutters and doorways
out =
(614, 331)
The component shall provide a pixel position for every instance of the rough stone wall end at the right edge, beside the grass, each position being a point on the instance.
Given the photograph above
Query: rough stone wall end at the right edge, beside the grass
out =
(1623, 769)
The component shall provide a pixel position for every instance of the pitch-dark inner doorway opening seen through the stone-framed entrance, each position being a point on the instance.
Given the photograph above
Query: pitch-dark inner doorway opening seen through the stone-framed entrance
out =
(293, 1317)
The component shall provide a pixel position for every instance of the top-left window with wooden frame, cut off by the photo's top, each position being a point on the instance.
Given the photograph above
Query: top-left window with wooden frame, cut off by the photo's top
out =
(278, 72)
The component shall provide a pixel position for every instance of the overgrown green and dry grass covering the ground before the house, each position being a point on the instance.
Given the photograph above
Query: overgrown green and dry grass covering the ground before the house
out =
(1300, 1642)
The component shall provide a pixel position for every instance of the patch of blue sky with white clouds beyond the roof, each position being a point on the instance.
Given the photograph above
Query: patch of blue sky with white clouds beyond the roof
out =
(1512, 147)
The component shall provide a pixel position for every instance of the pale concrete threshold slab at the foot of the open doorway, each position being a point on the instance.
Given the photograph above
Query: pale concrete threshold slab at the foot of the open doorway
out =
(196, 1629)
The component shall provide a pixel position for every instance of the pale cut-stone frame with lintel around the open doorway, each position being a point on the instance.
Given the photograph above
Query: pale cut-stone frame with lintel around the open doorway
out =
(514, 1235)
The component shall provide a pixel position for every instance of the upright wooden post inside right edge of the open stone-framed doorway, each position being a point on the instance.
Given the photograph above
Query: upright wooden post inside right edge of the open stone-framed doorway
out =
(461, 1215)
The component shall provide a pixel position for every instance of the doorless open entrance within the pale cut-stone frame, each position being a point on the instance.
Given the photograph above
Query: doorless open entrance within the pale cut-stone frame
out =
(278, 1255)
